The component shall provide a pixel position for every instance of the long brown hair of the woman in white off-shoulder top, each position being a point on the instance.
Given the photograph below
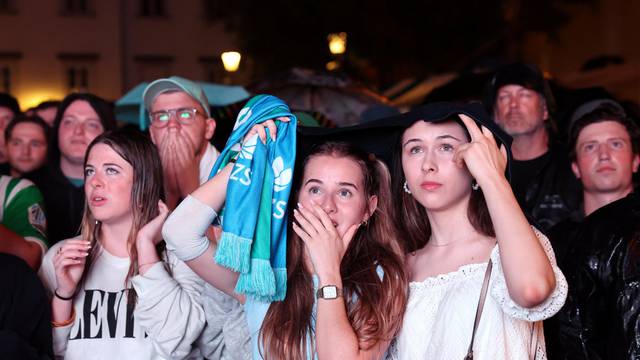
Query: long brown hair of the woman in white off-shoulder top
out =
(412, 217)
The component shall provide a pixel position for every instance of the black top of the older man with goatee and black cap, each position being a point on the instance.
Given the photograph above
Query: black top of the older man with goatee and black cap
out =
(550, 194)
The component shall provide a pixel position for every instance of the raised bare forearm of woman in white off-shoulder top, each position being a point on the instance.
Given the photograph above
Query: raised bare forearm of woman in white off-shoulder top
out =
(527, 269)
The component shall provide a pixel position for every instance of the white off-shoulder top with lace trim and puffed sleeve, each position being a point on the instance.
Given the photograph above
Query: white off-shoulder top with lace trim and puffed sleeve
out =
(439, 318)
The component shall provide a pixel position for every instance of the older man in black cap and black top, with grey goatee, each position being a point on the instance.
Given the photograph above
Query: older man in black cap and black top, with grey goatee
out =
(521, 101)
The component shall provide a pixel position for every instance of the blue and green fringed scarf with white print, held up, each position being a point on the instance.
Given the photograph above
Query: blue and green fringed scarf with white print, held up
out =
(254, 221)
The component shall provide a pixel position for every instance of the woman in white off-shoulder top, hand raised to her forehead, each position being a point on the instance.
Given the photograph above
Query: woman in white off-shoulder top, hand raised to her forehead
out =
(458, 212)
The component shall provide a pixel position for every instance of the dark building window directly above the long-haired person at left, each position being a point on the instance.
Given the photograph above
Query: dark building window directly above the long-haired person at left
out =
(79, 71)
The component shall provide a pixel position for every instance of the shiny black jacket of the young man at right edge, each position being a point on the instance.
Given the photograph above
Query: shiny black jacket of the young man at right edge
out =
(601, 259)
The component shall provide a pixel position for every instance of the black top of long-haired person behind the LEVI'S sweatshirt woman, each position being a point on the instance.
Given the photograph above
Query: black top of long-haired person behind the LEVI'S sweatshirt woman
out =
(63, 202)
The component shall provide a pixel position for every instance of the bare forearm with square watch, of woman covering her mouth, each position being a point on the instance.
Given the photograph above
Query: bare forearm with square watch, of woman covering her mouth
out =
(335, 337)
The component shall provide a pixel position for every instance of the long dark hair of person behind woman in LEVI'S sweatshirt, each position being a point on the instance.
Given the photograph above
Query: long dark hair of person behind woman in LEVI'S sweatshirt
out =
(100, 106)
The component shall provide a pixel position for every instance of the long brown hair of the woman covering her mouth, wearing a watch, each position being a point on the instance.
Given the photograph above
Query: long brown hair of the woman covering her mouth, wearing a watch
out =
(375, 305)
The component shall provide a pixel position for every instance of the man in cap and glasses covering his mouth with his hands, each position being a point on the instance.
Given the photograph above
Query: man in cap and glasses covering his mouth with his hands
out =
(181, 126)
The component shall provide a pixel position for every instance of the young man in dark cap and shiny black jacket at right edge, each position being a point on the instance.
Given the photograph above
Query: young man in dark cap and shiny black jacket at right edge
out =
(600, 256)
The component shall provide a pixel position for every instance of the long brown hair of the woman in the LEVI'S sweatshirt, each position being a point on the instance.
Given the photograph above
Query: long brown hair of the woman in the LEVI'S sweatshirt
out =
(147, 189)
